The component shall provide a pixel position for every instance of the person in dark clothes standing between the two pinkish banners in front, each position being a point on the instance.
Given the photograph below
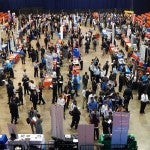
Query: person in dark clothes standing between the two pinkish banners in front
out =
(75, 117)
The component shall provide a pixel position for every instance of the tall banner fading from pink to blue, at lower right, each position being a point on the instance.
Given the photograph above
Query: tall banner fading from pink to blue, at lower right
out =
(120, 128)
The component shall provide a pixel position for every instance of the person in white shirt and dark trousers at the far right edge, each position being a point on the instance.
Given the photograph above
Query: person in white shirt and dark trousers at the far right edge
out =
(144, 101)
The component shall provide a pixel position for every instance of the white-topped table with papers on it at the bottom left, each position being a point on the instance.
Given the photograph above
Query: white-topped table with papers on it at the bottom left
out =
(25, 140)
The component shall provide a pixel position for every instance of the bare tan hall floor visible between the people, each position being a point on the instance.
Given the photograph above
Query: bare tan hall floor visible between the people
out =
(139, 124)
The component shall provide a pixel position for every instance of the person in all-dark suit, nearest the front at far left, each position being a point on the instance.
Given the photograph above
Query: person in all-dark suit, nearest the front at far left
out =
(13, 111)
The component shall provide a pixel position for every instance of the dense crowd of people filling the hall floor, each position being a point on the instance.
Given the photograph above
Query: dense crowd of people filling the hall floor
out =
(101, 95)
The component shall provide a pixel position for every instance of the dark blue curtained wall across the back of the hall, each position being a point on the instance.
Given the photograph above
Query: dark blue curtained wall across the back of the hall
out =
(137, 5)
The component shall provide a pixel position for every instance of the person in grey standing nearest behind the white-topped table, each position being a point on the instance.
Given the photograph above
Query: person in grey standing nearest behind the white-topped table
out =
(38, 125)
